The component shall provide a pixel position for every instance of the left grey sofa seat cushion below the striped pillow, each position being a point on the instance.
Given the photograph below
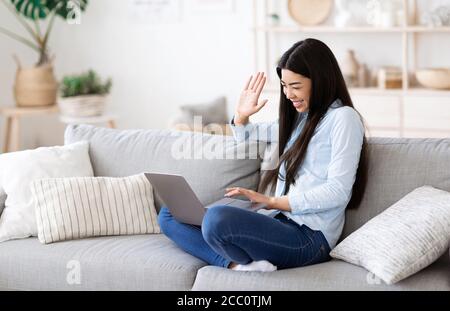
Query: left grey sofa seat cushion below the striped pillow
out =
(140, 262)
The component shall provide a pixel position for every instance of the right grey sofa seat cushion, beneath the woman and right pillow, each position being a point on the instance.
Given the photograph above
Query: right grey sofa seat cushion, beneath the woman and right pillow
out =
(332, 275)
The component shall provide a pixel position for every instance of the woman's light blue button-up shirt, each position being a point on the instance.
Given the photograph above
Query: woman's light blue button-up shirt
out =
(324, 182)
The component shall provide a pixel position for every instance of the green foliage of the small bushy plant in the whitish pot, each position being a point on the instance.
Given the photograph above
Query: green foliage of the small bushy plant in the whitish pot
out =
(88, 83)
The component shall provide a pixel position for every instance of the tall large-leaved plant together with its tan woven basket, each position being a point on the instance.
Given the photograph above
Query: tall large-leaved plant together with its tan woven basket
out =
(37, 86)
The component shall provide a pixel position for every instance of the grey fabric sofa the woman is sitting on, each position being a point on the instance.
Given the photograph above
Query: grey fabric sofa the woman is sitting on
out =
(153, 262)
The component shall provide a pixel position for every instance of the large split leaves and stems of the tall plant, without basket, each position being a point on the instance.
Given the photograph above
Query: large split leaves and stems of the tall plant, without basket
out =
(34, 14)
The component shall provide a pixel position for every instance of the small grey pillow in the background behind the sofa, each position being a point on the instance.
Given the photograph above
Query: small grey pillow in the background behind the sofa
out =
(212, 112)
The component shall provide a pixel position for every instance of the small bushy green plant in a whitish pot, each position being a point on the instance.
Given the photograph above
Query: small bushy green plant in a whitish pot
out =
(83, 95)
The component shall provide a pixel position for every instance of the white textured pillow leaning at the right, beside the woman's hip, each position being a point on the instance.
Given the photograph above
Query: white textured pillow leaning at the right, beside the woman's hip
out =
(402, 240)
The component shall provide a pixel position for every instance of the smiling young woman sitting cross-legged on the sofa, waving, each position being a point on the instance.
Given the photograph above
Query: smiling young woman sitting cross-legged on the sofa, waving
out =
(321, 171)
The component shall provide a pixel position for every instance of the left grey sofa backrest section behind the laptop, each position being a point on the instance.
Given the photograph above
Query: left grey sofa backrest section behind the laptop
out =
(126, 152)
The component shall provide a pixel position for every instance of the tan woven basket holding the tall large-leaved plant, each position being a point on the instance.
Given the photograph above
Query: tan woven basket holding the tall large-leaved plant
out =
(35, 86)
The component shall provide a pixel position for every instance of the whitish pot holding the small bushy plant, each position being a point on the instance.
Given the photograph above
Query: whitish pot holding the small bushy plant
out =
(82, 106)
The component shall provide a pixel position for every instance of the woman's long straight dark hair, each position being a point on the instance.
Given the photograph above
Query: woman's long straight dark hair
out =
(313, 59)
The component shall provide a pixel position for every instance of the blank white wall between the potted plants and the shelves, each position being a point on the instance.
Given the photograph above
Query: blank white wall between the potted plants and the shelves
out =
(157, 67)
